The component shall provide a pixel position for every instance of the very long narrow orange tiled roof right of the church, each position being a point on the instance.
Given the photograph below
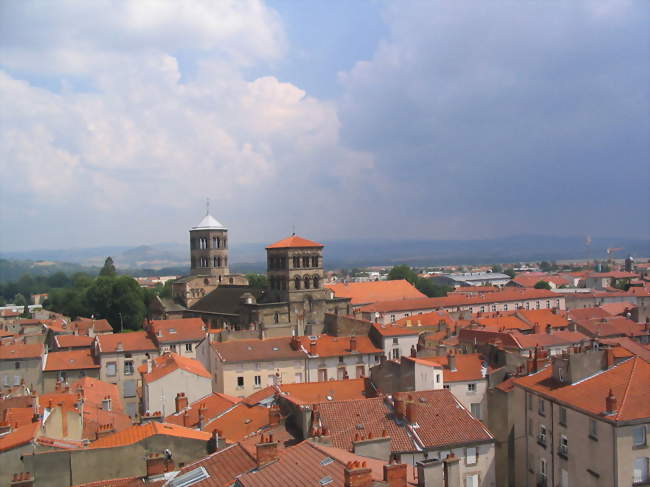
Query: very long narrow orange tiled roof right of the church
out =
(505, 295)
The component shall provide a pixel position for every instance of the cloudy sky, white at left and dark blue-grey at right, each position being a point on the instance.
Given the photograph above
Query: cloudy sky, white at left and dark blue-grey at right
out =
(366, 119)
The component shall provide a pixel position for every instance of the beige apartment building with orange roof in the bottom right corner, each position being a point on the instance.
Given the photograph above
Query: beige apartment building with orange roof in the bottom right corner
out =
(583, 421)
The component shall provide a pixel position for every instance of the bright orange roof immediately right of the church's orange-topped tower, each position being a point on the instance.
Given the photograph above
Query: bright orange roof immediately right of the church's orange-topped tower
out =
(371, 292)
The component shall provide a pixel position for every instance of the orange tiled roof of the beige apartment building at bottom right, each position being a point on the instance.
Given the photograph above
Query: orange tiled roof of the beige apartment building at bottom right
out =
(628, 381)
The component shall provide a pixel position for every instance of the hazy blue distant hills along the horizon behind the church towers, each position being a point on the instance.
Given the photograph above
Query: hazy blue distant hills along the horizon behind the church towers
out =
(173, 258)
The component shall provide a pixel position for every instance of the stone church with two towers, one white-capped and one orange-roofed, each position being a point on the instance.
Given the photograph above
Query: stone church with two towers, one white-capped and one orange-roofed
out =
(294, 302)
